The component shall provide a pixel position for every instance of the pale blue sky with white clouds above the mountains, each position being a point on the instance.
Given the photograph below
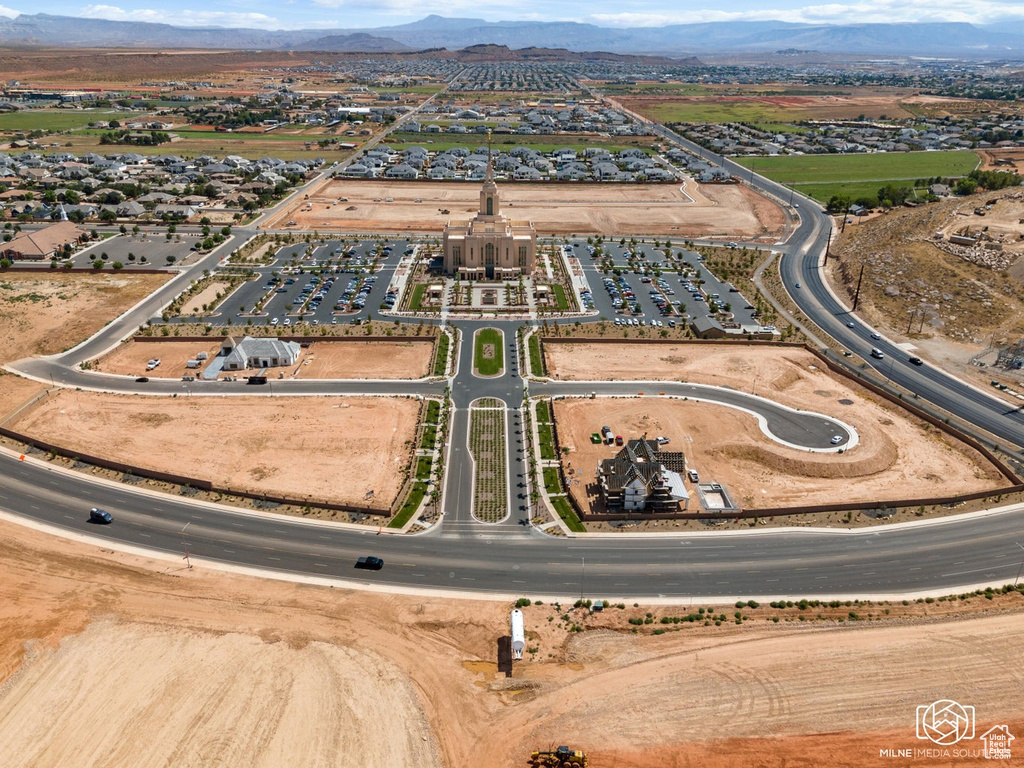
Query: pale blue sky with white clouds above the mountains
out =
(282, 15)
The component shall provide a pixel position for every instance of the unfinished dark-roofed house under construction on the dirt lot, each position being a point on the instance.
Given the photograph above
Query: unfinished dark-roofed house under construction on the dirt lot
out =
(644, 479)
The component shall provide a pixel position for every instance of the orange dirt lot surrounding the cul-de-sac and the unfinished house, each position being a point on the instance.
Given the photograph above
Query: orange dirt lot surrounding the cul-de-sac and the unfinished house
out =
(898, 456)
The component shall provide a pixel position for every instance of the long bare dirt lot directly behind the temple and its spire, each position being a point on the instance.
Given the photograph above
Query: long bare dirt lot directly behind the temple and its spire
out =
(556, 209)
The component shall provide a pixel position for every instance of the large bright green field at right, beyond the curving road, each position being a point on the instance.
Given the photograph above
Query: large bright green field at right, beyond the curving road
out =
(822, 177)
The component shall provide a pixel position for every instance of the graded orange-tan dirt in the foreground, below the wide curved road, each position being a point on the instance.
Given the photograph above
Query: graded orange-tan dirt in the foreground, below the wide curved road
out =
(285, 674)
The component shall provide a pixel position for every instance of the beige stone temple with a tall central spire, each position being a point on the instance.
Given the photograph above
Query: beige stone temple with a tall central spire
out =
(490, 247)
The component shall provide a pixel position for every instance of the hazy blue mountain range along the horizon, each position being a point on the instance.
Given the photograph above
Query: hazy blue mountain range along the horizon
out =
(924, 39)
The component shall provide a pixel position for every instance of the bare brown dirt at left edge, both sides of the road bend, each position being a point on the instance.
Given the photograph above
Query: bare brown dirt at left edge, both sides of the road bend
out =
(44, 314)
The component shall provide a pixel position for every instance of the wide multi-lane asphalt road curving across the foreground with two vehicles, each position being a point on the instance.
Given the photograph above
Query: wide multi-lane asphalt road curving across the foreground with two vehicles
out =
(791, 564)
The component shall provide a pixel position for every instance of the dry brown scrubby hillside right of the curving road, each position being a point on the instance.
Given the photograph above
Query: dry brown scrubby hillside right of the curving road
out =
(953, 302)
